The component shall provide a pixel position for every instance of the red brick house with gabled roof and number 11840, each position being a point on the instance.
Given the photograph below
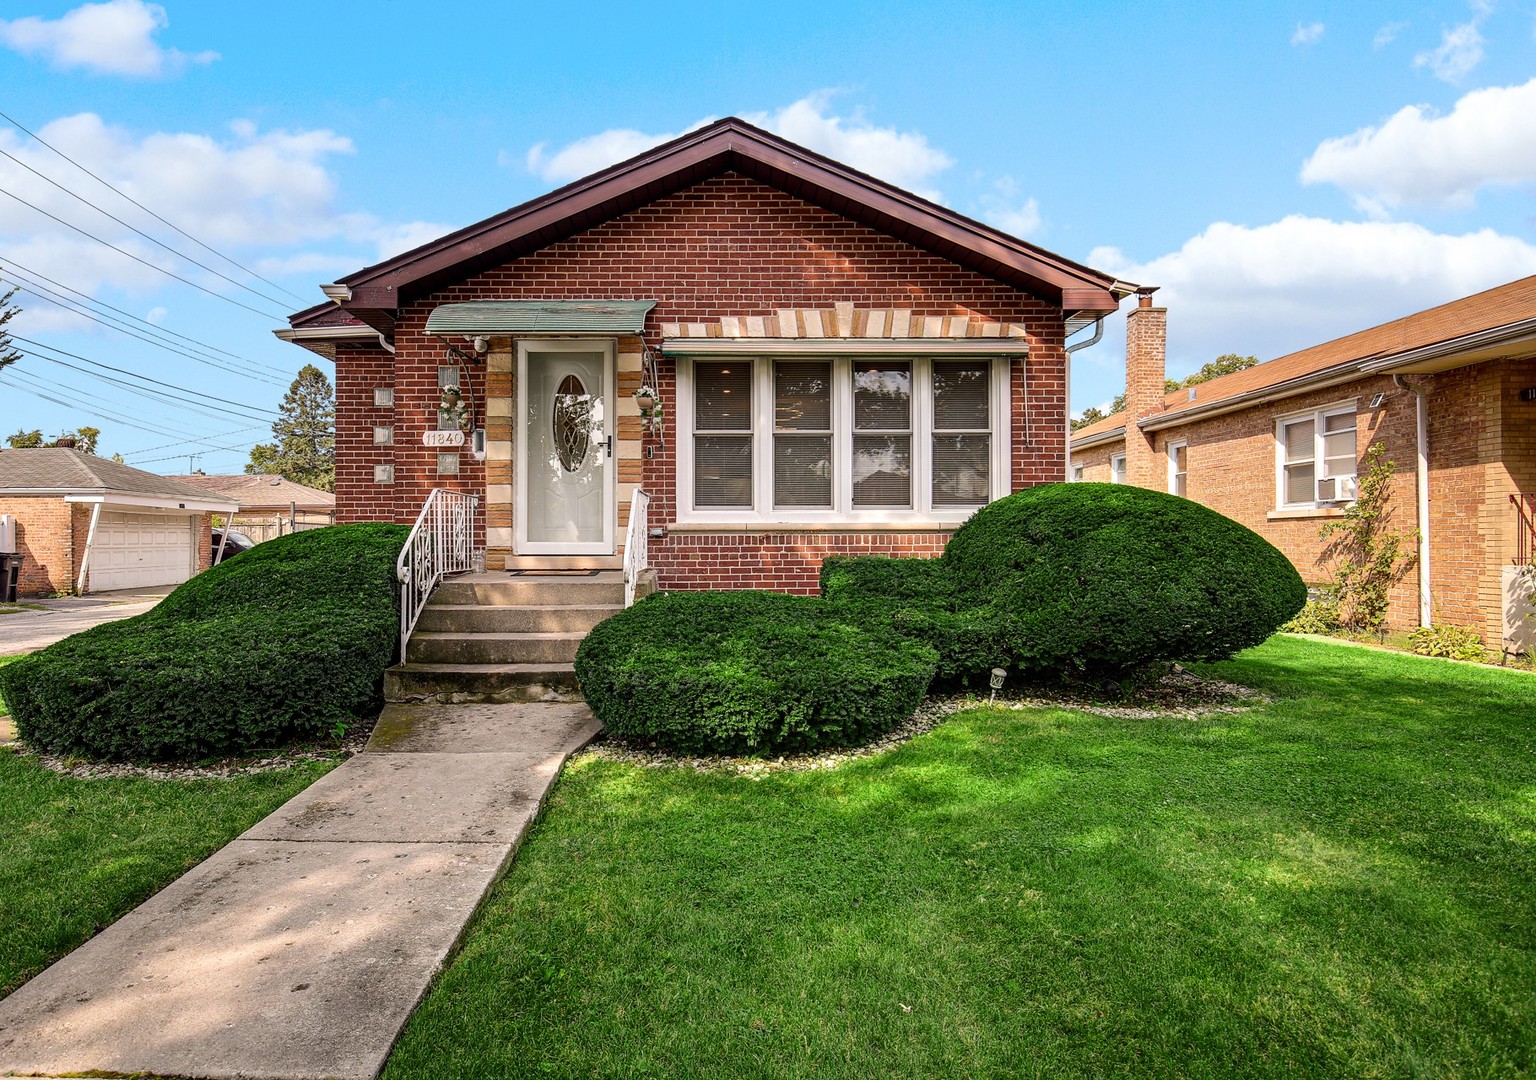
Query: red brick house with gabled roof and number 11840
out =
(844, 368)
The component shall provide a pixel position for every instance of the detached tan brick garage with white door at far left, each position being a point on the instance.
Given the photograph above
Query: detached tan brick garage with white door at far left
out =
(85, 525)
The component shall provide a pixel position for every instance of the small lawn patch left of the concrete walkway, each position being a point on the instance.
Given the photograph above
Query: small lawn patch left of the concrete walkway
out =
(81, 853)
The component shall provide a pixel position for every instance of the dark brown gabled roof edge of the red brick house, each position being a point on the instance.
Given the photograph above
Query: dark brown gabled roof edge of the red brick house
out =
(374, 294)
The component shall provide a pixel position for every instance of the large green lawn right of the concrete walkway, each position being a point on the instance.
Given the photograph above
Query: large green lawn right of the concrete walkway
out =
(1342, 883)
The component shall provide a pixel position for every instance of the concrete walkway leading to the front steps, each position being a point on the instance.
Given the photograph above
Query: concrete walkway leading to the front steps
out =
(302, 949)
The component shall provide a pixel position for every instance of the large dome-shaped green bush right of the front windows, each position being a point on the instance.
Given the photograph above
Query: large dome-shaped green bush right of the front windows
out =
(1102, 580)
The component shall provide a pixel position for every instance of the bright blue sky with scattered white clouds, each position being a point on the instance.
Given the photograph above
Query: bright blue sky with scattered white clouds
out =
(1288, 173)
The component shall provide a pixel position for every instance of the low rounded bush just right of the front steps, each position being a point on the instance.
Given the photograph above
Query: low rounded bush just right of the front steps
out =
(749, 672)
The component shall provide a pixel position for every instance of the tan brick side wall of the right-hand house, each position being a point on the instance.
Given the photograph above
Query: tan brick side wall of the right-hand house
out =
(1481, 451)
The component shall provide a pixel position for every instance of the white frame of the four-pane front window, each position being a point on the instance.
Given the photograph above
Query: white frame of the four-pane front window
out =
(842, 509)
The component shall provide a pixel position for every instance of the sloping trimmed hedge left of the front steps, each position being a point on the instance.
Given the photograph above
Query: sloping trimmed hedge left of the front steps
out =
(271, 646)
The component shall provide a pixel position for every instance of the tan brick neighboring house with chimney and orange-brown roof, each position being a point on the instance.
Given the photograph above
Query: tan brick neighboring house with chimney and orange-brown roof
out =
(1277, 448)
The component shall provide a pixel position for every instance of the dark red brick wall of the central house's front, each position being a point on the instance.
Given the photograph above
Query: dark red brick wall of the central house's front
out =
(727, 247)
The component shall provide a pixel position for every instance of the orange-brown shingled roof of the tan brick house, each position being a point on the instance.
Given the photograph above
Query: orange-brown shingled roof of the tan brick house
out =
(1485, 326)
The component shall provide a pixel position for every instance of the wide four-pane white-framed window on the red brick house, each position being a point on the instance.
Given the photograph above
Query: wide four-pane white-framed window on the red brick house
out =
(790, 440)
